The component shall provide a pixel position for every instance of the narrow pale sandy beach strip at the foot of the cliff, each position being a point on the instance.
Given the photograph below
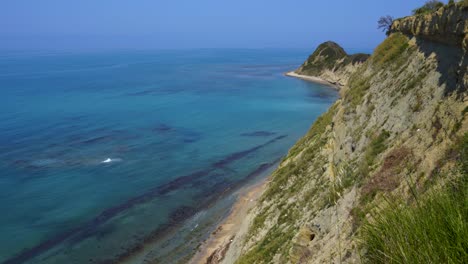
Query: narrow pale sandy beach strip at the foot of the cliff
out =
(229, 232)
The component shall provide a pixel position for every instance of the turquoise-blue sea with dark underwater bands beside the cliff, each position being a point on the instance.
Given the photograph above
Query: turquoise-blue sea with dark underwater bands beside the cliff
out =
(104, 153)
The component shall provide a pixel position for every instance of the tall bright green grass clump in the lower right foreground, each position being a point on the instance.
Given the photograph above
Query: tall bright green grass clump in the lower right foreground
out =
(433, 229)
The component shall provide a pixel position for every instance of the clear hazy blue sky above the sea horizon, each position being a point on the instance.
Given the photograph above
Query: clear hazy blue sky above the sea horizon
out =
(175, 24)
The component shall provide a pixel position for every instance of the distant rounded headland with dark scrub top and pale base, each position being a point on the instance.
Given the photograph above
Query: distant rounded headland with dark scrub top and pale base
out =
(331, 63)
